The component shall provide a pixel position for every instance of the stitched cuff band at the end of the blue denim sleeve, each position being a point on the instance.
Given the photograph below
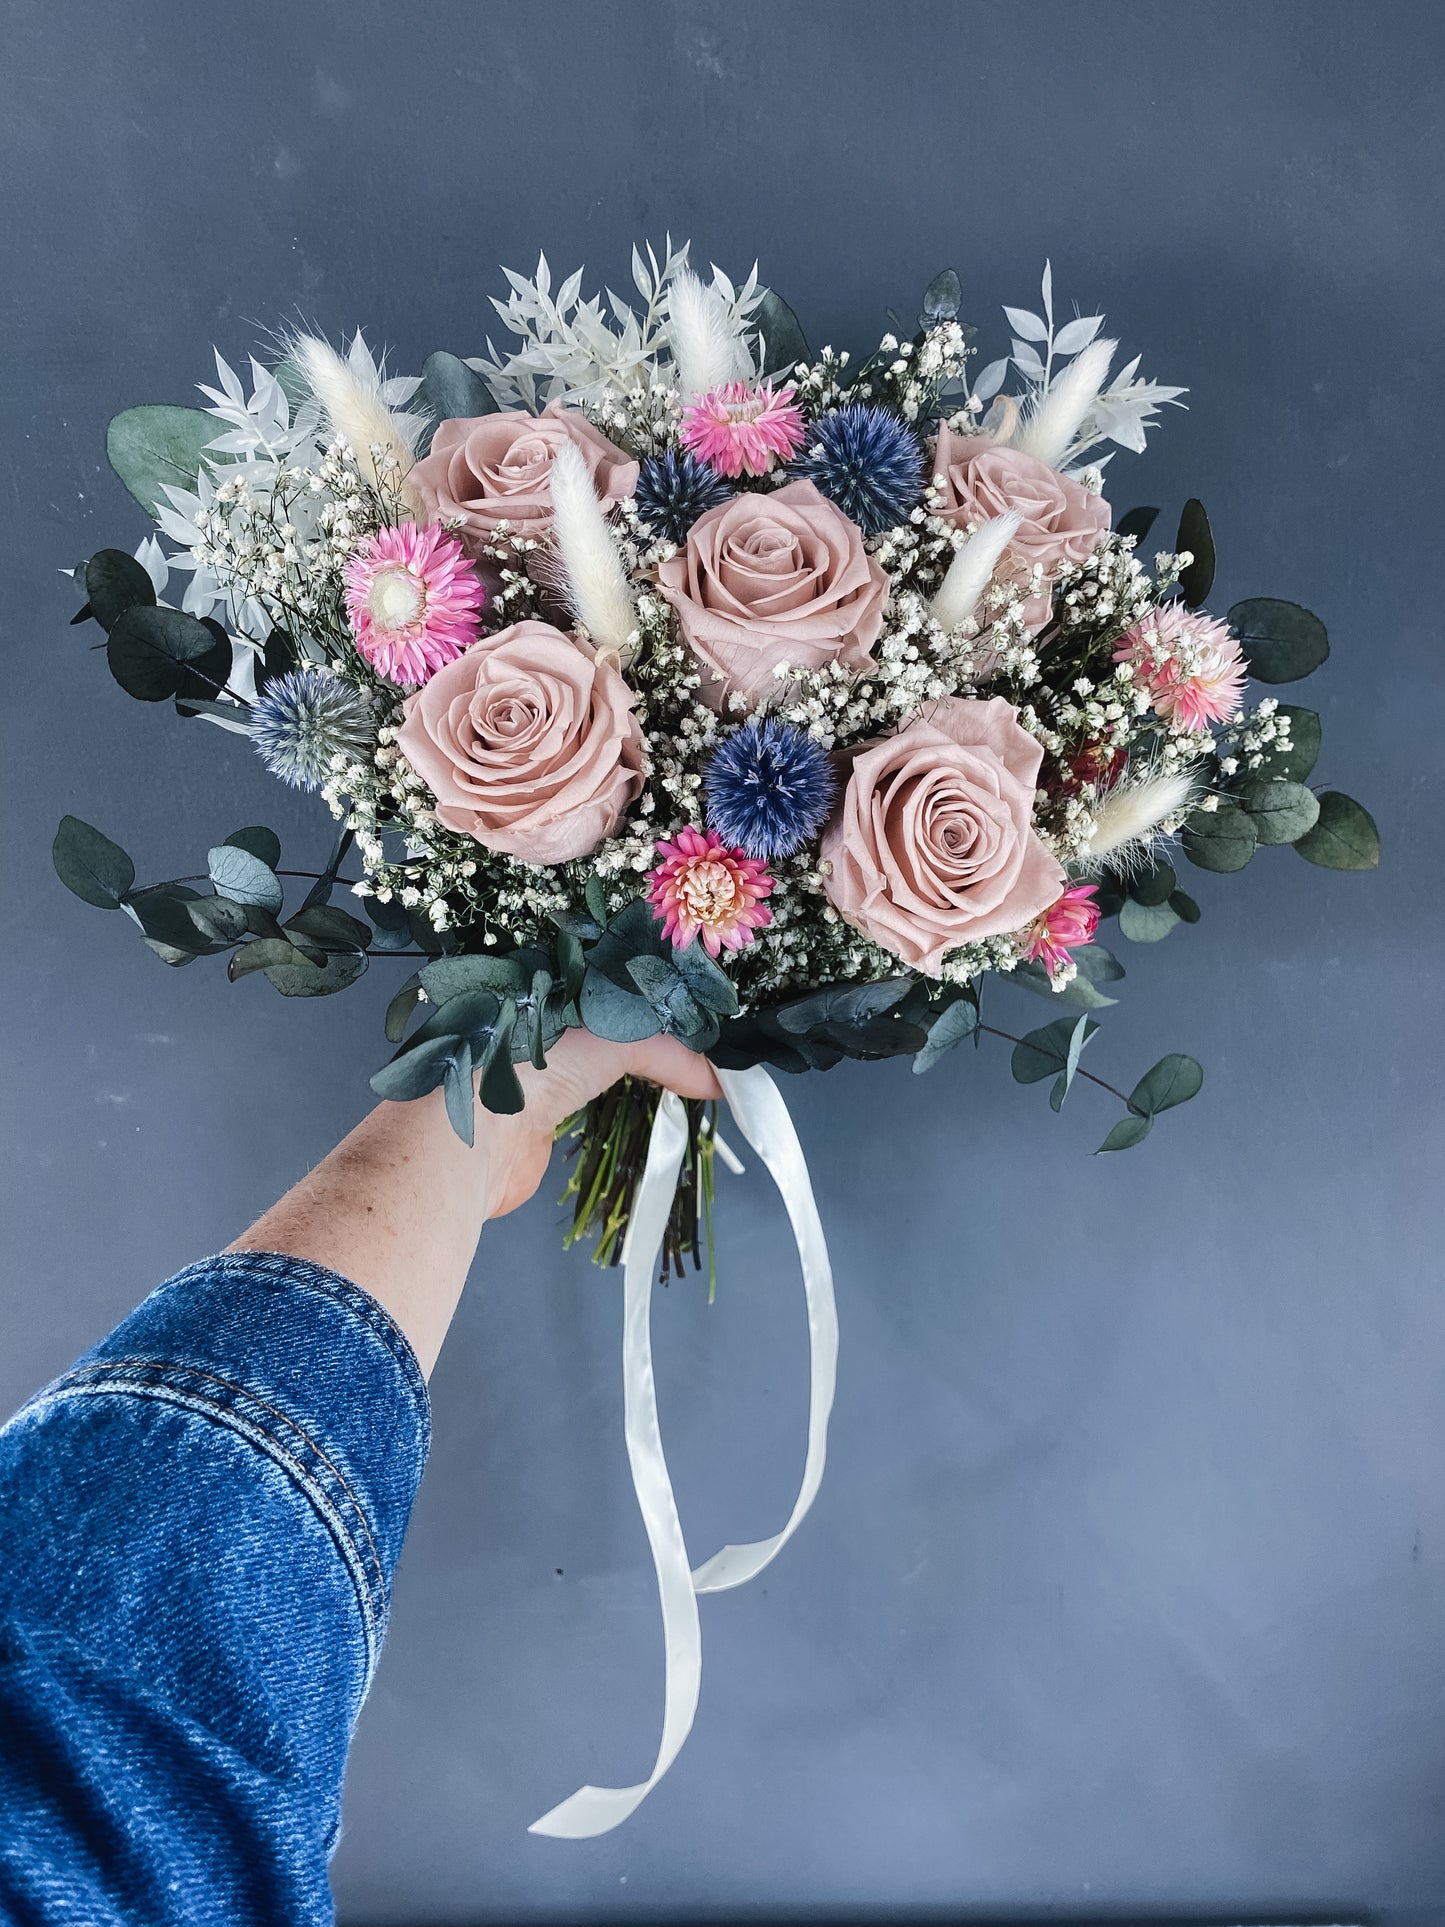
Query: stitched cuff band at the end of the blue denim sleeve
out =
(303, 1365)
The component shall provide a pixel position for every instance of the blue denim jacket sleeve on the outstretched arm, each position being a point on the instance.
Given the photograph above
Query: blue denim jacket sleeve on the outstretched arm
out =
(197, 1533)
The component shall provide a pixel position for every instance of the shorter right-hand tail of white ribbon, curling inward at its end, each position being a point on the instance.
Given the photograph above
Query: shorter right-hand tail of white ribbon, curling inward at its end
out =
(762, 1117)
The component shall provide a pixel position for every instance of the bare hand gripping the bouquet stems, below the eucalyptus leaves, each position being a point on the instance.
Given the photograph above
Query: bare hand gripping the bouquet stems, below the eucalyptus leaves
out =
(579, 1069)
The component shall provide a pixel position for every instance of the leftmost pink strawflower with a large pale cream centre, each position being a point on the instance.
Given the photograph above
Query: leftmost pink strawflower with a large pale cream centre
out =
(413, 600)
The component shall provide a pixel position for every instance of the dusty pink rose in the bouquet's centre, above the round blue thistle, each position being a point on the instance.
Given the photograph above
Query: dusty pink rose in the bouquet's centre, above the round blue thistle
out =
(774, 579)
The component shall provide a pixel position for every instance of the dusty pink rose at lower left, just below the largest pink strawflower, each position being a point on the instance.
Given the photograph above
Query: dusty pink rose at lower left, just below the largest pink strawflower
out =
(529, 743)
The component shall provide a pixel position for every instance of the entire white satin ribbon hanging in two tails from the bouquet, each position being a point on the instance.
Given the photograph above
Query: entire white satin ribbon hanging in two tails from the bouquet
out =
(764, 1121)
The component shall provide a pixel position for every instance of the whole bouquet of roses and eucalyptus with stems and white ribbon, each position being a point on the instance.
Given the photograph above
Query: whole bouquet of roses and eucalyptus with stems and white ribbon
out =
(666, 675)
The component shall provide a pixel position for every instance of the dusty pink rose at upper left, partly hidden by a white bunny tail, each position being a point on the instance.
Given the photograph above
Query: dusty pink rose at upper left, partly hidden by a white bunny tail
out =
(498, 469)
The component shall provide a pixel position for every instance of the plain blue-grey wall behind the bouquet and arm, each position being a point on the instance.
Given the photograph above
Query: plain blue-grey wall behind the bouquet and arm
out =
(1128, 1581)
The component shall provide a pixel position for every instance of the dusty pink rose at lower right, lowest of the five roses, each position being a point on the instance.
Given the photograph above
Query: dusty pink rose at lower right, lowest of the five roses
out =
(933, 845)
